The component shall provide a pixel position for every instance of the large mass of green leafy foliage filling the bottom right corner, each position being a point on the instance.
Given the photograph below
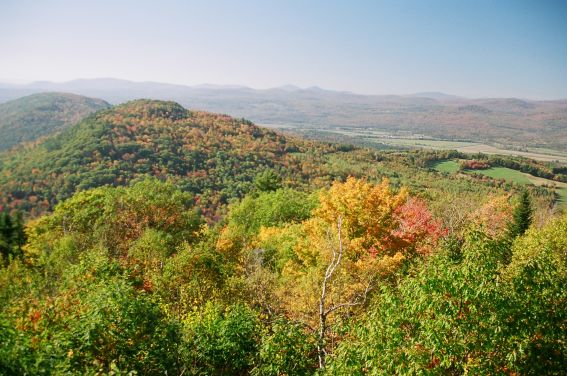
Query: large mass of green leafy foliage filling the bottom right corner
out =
(471, 315)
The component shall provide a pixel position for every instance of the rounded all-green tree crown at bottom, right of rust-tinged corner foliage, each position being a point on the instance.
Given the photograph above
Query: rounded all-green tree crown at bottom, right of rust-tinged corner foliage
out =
(118, 326)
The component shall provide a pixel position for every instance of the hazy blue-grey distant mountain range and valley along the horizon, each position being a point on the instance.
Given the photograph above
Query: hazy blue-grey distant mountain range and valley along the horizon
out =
(502, 121)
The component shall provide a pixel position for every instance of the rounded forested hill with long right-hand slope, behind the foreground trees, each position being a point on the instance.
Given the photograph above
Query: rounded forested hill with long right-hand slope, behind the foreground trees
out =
(215, 157)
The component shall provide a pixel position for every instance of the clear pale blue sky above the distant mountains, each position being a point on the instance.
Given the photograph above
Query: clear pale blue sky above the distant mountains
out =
(480, 48)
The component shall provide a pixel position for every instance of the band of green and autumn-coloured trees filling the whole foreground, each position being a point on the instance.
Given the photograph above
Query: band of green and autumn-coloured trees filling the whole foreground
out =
(359, 278)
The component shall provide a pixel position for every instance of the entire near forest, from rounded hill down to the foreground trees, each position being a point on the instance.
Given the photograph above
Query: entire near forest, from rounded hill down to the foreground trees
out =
(150, 239)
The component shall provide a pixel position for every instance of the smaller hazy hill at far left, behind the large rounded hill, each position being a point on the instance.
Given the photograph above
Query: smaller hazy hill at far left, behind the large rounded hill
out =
(37, 115)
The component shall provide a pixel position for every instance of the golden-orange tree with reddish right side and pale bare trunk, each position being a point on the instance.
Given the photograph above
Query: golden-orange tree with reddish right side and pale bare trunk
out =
(360, 233)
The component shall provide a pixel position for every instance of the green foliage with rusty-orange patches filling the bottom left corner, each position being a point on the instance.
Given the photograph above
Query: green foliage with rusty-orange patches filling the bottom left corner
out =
(91, 320)
